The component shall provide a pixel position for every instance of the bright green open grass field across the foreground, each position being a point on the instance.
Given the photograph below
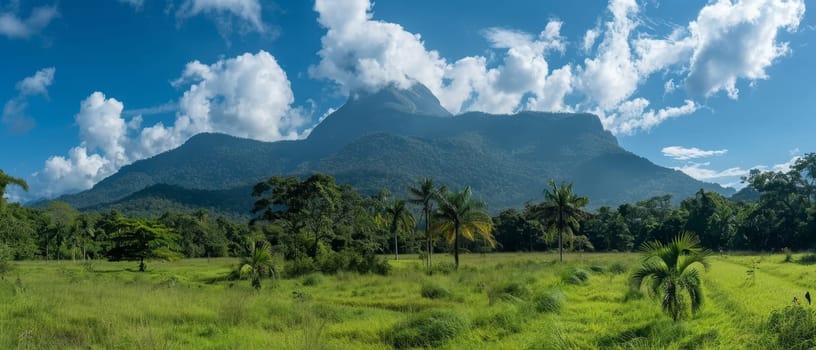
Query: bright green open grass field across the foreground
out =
(495, 301)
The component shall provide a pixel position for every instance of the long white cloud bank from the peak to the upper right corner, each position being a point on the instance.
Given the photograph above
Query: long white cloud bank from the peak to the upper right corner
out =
(709, 54)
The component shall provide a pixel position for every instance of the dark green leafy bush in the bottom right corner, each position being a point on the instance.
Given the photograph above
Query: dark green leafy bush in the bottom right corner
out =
(793, 327)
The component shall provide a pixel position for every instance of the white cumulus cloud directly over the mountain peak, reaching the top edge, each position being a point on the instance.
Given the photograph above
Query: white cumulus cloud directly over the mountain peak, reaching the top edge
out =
(360, 53)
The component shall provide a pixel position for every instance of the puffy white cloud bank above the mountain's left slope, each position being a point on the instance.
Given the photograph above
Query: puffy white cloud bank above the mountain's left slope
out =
(245, 96)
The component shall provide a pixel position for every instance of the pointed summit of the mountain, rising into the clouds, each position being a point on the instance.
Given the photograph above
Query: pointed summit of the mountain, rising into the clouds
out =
(417, 99)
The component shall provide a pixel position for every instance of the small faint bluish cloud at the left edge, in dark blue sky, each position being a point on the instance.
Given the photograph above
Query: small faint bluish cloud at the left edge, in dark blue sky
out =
(14, 117)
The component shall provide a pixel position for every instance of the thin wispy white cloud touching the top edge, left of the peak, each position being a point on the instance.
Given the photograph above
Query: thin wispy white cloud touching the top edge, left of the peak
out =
(249, 11)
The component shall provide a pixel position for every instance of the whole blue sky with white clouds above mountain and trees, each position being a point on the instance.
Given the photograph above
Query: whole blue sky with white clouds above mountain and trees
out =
(712, 88)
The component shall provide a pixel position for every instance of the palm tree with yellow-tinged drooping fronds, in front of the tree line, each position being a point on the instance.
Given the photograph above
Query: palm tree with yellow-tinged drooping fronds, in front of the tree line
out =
(461, 216)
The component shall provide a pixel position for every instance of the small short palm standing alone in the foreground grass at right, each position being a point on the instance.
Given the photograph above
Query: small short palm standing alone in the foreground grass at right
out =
(669, 270)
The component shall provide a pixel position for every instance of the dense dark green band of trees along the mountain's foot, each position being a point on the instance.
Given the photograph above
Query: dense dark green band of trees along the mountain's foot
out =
(317, 224)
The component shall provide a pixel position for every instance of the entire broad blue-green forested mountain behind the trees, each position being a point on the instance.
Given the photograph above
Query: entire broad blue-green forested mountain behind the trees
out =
(391, 138)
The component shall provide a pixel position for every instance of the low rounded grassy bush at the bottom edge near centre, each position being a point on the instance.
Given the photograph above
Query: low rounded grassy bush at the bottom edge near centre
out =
(426, 329)
